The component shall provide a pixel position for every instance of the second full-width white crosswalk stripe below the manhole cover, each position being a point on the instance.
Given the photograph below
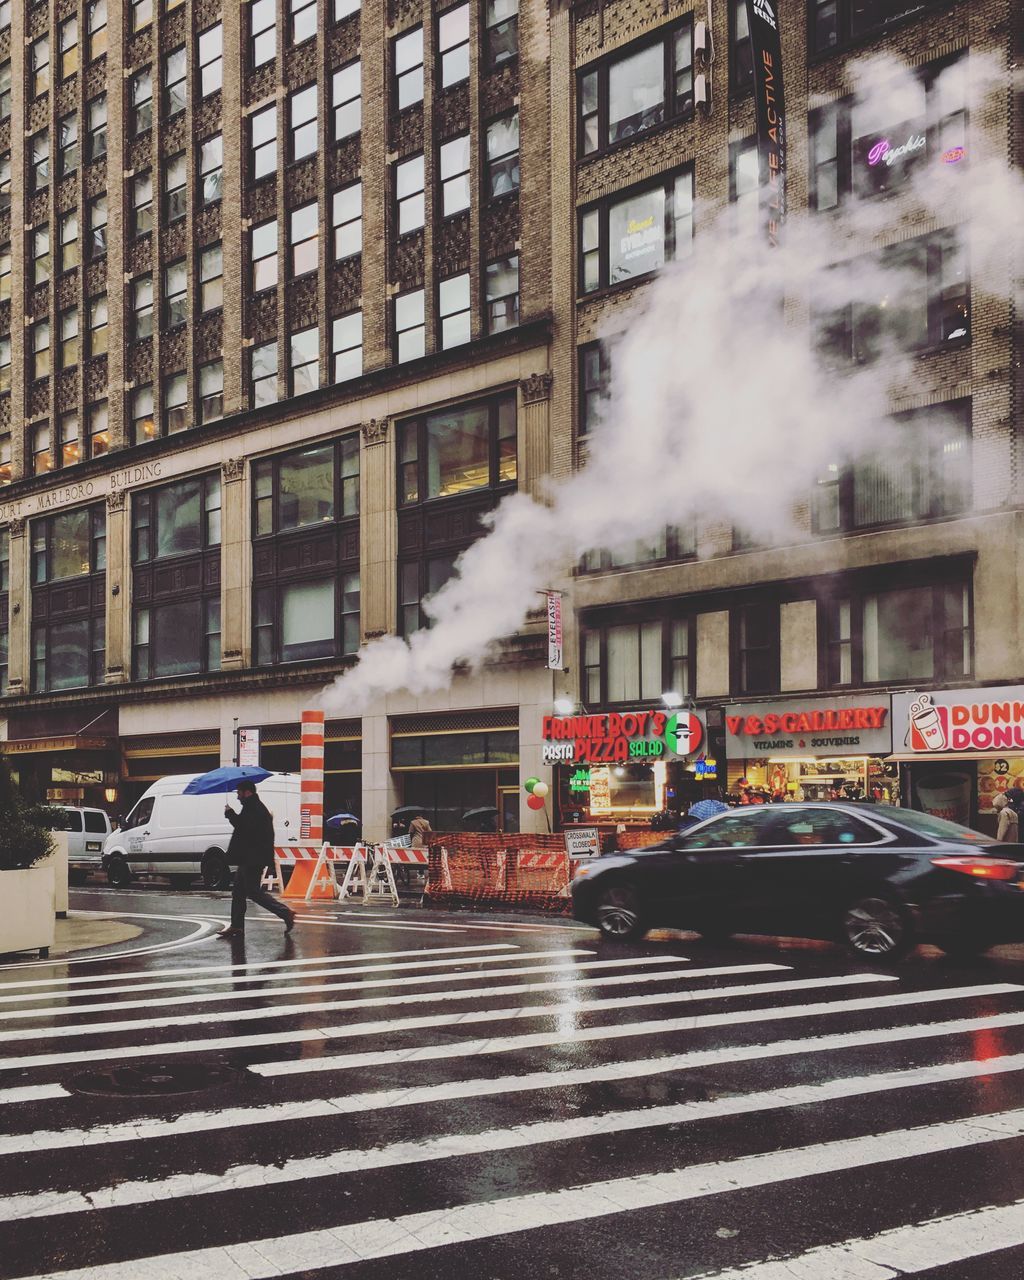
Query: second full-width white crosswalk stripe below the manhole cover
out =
(451, 1146)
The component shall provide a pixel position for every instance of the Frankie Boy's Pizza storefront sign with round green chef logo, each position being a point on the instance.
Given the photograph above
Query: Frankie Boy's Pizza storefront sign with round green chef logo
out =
(620, 738)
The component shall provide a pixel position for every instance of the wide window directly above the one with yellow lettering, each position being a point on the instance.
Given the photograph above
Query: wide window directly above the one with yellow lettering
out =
(628, 94)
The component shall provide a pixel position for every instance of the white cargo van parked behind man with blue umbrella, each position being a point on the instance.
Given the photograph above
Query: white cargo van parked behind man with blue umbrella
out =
(171, 834)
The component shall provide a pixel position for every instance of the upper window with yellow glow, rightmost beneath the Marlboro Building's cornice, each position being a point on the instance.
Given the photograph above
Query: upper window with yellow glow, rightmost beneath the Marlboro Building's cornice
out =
(458, 451)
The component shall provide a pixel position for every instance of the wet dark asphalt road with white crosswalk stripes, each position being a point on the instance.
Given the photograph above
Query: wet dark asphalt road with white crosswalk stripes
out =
(413, 1094)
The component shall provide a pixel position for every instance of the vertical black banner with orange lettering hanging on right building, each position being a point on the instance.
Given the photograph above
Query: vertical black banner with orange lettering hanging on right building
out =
(766, 43)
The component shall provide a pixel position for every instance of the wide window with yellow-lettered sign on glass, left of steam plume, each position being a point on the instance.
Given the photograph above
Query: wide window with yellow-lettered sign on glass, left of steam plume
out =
(627, 237)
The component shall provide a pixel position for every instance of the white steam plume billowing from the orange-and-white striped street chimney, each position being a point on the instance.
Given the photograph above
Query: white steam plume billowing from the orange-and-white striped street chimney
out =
(720, 408)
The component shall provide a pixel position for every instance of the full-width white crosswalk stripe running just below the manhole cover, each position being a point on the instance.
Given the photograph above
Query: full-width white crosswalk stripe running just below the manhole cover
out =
(500, 1086)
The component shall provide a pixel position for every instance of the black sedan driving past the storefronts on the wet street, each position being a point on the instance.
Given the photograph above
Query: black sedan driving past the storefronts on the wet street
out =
(879, 879)
